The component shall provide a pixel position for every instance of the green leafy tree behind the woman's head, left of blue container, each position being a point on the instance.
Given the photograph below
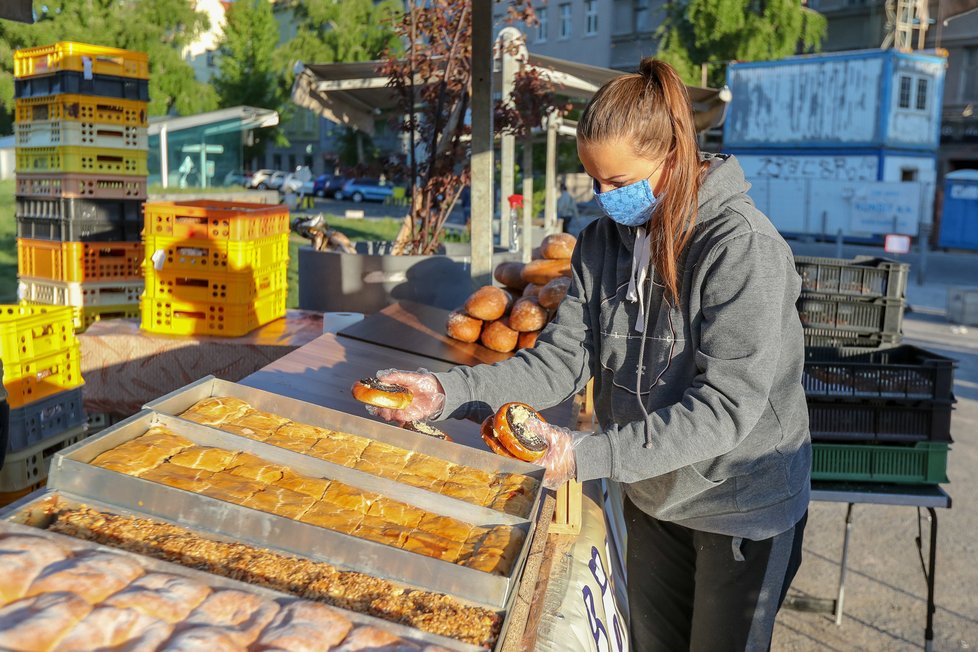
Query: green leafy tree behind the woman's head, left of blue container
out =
(697, 32)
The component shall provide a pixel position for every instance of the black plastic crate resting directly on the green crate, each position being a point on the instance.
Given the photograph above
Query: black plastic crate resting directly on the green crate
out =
(879, 421)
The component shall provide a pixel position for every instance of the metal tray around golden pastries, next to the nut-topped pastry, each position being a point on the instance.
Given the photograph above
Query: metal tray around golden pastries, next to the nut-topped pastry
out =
(72, 473)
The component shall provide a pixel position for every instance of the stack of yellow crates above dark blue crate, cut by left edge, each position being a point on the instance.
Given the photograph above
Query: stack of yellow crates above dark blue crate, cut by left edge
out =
(42, 380)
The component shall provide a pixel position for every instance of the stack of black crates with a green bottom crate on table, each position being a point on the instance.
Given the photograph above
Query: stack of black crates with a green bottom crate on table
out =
(878, 411)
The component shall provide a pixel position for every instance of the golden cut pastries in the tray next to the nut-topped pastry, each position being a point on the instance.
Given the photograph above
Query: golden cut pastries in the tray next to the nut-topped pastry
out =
(245, 479)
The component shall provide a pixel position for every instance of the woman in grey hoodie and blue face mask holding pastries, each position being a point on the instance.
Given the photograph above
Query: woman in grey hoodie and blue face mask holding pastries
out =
(682, 308)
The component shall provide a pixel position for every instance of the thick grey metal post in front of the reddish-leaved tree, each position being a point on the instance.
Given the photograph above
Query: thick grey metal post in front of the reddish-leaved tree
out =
(482, 146)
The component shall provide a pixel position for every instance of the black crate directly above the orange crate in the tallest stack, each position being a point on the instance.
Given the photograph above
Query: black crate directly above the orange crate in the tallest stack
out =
(79, 220)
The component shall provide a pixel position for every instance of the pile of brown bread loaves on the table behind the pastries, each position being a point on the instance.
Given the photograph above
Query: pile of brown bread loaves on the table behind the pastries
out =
(509, 318)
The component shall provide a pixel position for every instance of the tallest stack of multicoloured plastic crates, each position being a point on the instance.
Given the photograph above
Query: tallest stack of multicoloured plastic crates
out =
(81, 135)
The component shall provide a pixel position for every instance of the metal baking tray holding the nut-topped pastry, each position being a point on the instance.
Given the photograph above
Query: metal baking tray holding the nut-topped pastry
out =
(35, 512)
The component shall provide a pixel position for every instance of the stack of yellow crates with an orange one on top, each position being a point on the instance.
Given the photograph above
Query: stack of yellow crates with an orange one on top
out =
(214, 268)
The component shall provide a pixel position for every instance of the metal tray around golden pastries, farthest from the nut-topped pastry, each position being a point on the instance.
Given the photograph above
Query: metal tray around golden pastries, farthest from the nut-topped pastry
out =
(179, 401)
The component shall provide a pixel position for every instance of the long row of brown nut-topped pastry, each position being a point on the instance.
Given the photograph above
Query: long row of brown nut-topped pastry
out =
(432, 612)
